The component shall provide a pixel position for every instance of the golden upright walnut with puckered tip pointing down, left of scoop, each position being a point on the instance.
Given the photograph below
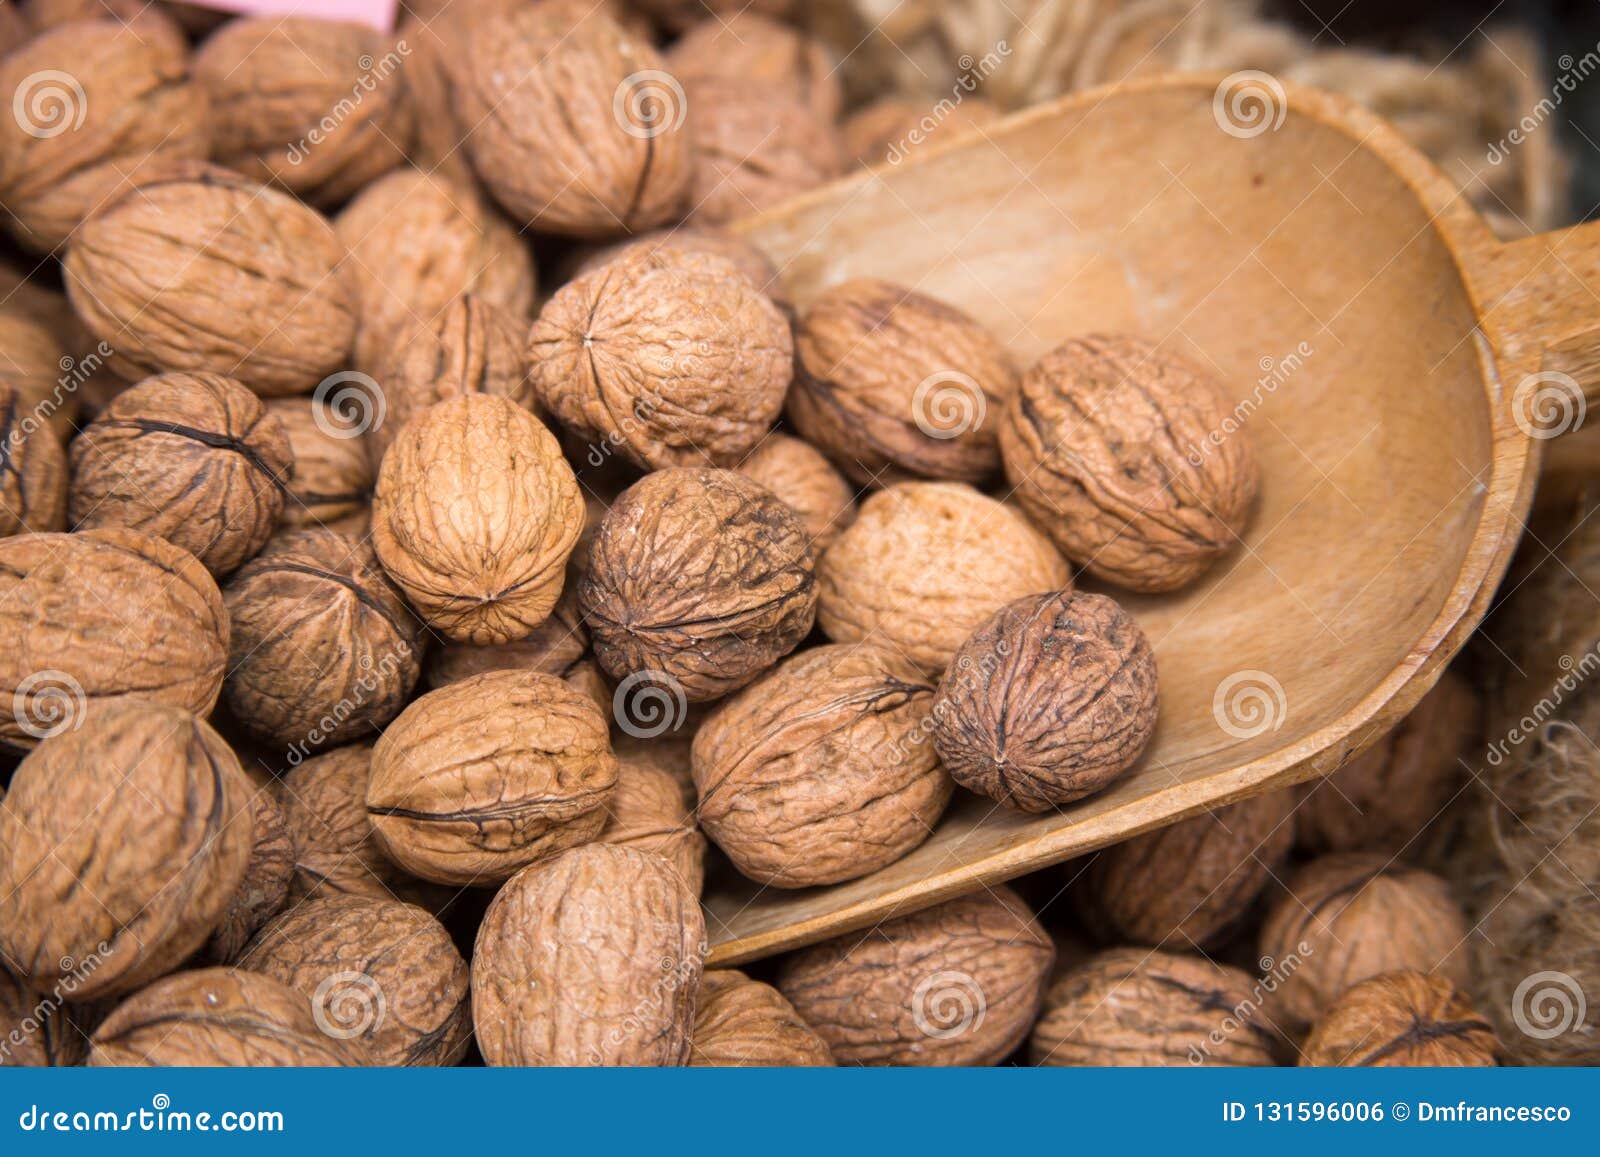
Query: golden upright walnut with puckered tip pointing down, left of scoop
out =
(476, 516)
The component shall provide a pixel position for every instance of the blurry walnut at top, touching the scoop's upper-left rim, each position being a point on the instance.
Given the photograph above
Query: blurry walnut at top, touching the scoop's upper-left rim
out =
(754, 148)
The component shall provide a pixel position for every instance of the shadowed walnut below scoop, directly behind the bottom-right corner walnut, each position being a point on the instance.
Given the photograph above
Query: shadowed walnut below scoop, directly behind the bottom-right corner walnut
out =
(1350, 918)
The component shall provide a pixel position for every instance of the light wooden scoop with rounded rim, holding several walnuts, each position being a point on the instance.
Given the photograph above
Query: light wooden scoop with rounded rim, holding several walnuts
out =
(1398, 370)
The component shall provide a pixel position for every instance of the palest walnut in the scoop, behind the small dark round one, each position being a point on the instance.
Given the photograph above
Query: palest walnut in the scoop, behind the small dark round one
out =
(926, 564)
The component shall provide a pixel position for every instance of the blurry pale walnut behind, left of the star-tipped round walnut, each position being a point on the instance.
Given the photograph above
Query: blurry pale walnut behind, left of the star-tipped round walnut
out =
(418, 242)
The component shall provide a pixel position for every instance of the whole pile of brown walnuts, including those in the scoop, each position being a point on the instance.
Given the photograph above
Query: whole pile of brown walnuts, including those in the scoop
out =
(449, 543)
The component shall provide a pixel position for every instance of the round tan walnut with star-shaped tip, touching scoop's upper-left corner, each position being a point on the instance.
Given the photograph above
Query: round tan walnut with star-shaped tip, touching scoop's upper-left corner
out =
(666, 358)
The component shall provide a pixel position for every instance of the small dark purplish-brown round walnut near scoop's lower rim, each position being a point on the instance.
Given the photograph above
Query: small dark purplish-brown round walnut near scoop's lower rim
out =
(1049, 702)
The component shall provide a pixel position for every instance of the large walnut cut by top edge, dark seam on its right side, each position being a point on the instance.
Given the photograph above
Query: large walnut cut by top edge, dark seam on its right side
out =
(575, 127)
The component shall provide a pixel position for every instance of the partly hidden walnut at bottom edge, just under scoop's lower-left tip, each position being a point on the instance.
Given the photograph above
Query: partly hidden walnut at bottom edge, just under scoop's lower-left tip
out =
(743, 1023)
